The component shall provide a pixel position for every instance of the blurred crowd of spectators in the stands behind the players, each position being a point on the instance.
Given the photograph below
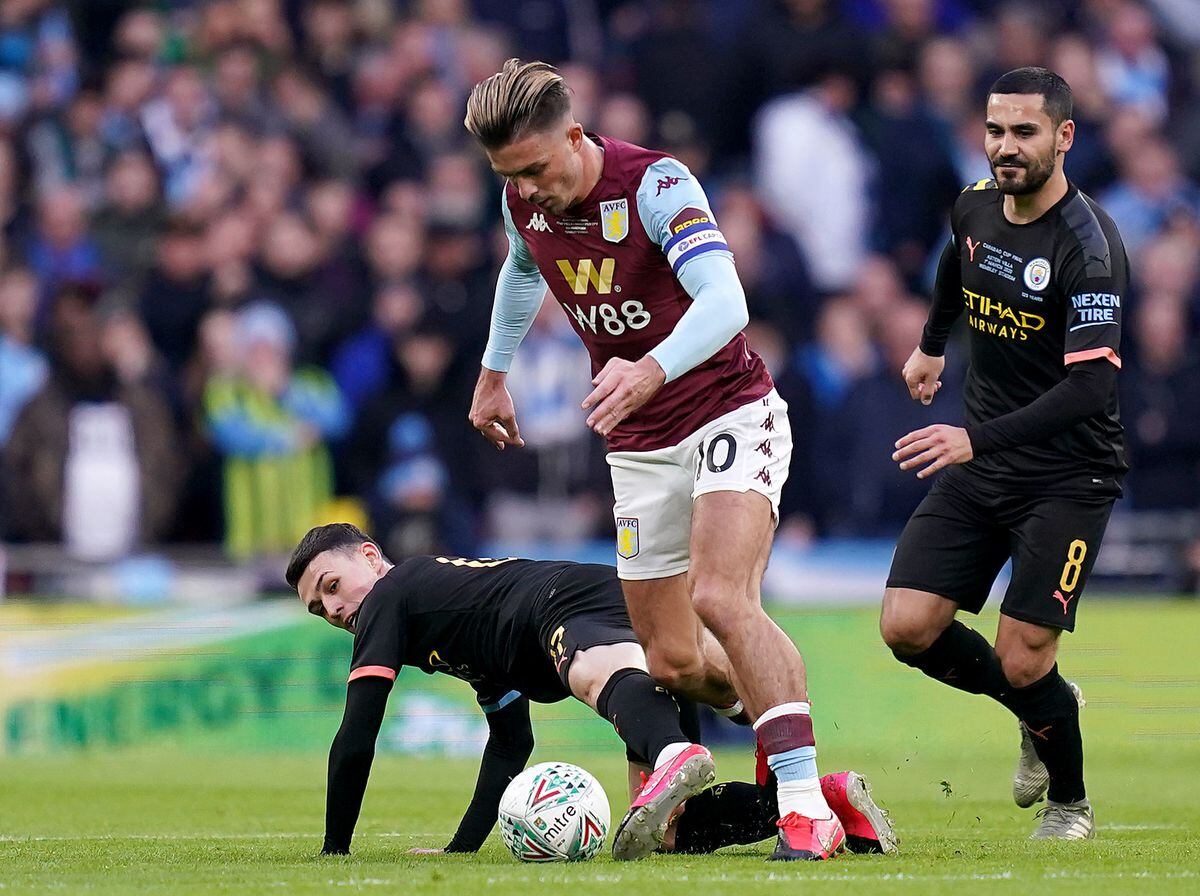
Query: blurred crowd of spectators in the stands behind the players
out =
(249, 250)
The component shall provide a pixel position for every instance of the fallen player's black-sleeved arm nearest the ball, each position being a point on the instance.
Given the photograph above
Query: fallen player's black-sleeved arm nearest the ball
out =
(509, 747)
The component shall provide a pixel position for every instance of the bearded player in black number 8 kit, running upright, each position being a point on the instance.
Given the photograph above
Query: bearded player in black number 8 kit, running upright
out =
(1041, 274)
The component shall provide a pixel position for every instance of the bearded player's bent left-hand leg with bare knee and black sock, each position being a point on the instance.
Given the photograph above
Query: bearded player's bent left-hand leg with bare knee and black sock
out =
(946, 560)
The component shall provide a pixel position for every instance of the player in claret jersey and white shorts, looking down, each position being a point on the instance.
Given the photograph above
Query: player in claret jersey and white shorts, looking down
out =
(699, 441)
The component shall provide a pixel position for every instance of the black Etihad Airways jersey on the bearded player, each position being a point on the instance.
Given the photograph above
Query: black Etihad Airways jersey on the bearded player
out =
(1039, 298)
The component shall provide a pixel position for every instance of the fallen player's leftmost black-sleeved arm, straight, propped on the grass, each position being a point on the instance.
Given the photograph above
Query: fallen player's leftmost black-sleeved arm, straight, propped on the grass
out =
(351, 757)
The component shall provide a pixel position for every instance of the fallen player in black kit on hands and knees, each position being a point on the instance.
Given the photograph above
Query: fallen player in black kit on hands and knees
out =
(519, 632)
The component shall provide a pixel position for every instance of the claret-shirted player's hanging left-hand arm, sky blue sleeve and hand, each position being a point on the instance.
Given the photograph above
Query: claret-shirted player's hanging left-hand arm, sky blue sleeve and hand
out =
(520, 291)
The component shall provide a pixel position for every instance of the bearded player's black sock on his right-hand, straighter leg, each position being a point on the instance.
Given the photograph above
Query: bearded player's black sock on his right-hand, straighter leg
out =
(1049, 712)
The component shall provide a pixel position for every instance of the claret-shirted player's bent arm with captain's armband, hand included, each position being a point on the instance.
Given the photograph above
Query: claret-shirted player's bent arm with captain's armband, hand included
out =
(677, 217)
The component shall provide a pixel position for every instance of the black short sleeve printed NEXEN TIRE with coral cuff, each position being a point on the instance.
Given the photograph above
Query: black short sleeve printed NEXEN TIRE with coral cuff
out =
(1095, 280)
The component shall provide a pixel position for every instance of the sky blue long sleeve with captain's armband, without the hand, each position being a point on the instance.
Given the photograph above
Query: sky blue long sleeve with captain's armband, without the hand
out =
(677, 217)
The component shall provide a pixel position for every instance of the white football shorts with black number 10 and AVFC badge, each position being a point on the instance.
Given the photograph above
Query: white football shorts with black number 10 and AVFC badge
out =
(747, 450)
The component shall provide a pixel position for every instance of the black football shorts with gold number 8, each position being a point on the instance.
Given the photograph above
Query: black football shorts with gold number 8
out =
(962, 536)
